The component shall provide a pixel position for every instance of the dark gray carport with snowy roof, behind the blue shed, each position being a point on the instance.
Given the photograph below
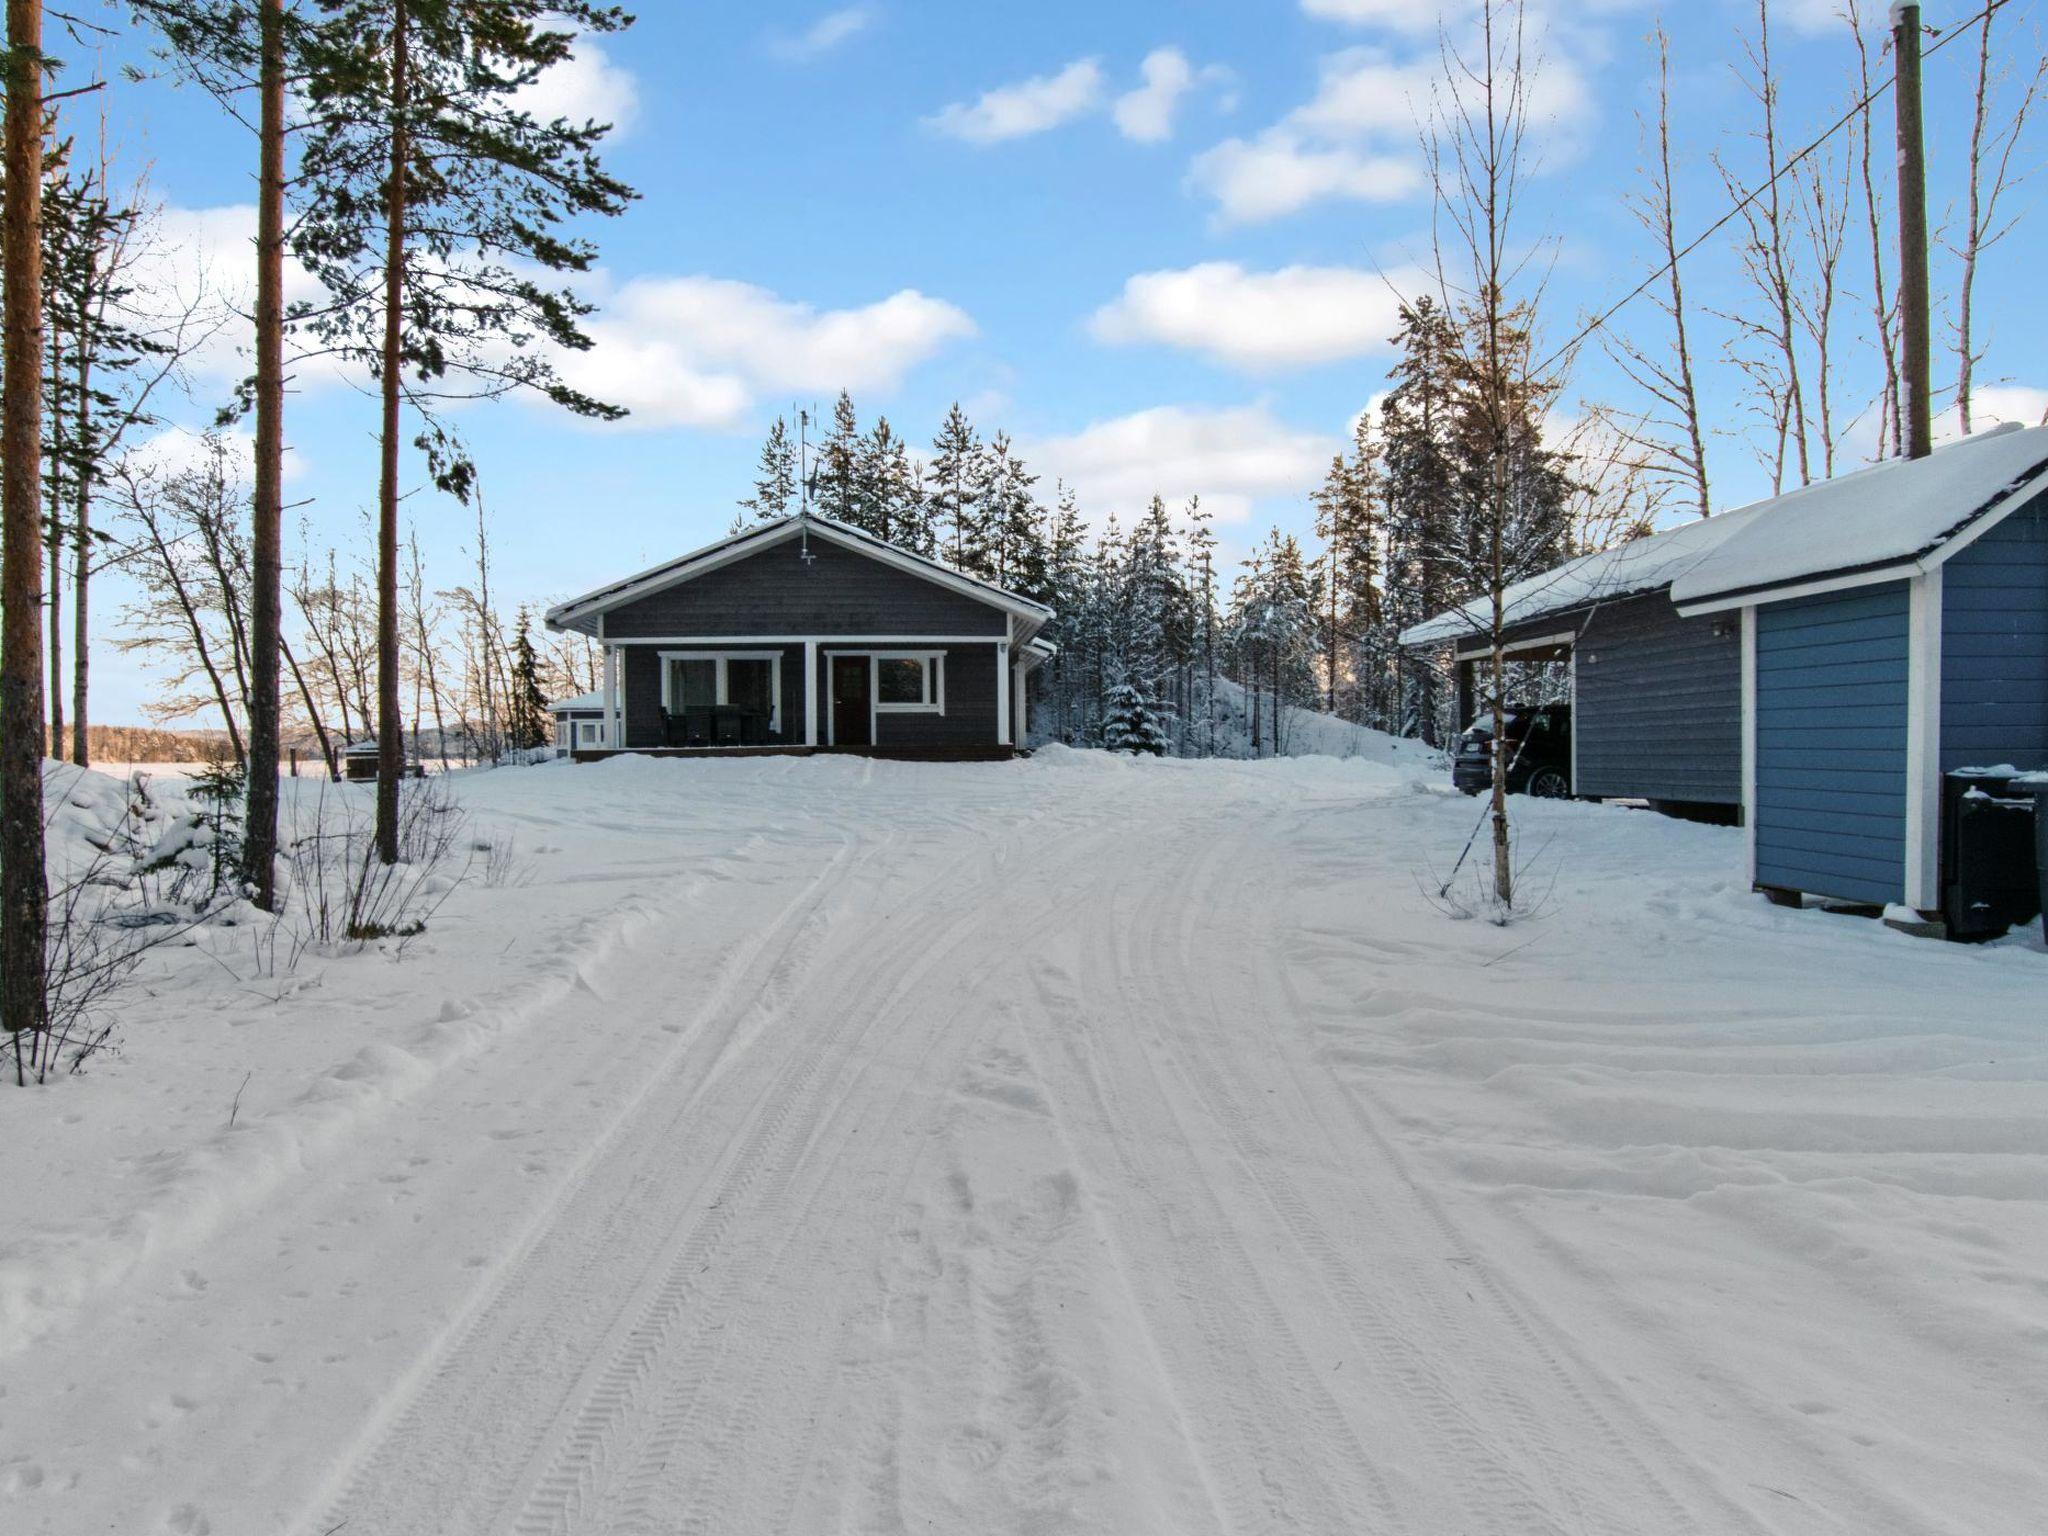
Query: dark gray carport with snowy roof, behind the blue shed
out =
(1658, 697)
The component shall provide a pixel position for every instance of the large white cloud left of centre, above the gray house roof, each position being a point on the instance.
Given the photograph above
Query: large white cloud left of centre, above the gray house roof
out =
(699, 351)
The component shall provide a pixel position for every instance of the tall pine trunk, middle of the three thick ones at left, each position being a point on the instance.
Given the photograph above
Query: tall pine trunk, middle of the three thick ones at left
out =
(267, 515)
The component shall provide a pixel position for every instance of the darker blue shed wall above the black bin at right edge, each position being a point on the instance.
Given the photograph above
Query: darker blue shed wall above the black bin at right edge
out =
(1996, 646)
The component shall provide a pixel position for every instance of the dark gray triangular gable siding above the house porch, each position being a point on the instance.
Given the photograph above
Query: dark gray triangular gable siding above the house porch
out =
(779, 593)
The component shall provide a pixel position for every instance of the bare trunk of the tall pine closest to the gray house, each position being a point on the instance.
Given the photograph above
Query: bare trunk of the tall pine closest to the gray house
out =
(390, 740)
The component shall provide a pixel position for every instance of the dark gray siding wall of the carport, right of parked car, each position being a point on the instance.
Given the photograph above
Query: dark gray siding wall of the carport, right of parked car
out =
(1658, 703)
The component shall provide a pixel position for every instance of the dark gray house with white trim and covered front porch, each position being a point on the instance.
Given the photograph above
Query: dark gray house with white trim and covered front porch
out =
(810, 636)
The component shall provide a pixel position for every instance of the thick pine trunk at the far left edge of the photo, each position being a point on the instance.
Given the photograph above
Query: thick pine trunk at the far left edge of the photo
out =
(24, 884)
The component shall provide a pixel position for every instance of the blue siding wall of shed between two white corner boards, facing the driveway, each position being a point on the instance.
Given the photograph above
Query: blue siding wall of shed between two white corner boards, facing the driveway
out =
(1832, 744)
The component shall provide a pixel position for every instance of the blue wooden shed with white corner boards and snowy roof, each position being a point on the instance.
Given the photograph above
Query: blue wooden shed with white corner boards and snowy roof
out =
(1895, 628)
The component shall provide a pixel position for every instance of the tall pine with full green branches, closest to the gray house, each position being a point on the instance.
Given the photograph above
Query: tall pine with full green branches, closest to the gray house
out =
(435, 210)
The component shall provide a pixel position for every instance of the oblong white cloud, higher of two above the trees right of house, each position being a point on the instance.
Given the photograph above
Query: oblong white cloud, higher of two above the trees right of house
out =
(1289, 318)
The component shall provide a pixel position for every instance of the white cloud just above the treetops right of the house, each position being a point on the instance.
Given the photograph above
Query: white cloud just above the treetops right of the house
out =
(1230, 458)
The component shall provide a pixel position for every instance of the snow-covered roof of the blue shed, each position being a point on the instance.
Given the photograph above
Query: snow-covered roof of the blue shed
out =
(1879, 525)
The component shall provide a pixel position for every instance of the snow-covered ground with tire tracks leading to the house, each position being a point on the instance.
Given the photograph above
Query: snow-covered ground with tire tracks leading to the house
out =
(1068, 1146)
